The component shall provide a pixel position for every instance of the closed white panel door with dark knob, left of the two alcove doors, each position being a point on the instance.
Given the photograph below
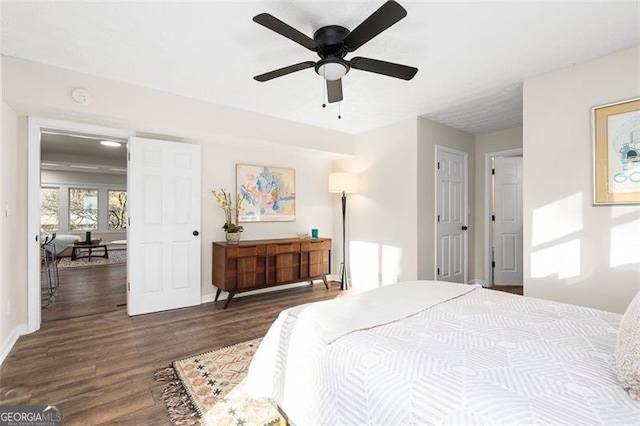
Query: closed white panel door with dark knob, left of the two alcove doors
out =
(451, 215)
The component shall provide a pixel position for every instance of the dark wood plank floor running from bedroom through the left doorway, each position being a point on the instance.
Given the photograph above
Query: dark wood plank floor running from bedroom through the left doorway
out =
(100, 367)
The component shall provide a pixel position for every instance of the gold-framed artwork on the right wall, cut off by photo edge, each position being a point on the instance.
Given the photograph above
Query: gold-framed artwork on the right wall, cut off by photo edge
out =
(616, 159)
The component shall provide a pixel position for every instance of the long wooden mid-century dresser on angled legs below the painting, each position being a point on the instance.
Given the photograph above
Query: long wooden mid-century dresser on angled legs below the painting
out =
(250, 265)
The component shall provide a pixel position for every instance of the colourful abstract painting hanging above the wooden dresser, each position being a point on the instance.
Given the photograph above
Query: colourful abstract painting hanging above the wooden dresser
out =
(268, 194)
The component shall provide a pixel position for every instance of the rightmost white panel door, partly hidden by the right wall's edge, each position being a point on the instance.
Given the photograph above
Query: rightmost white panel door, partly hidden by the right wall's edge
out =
(508, 221)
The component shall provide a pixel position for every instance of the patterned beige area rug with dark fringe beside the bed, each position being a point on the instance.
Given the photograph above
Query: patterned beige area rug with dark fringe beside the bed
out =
(207, 389)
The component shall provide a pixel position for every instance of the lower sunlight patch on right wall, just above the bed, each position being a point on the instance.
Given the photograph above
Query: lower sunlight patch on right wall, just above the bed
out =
(562, 260)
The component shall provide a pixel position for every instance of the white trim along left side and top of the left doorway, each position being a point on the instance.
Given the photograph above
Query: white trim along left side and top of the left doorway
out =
(35, 125)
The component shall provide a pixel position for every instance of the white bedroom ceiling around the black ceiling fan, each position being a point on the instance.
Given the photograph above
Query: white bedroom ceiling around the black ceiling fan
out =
(472, 56)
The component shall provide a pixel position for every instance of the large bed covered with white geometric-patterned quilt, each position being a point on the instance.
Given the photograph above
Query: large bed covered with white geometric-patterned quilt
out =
(398, 355)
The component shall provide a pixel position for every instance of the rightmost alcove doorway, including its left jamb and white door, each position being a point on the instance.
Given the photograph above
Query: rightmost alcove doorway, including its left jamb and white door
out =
(503, 225)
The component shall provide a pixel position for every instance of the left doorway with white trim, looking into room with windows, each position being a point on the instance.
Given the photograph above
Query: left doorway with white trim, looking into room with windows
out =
(77, 190)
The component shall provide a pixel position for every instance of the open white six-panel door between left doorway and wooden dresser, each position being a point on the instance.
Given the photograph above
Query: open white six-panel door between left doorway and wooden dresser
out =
(163, 253)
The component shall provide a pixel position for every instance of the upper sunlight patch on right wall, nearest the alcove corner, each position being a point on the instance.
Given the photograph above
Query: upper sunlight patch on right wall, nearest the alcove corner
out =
(557, 220)
